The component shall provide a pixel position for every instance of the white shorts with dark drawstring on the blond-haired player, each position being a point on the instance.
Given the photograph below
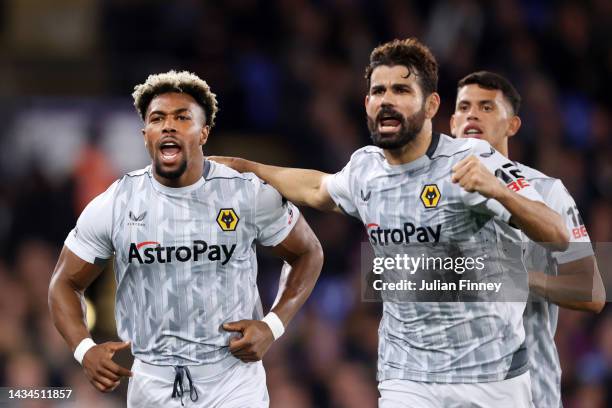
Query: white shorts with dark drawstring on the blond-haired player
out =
(241, 385)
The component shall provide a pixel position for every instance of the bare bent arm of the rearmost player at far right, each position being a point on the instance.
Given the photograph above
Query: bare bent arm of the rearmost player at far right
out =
(577, 286)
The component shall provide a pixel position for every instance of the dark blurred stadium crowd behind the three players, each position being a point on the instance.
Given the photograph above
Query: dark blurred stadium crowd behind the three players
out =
(289, 77)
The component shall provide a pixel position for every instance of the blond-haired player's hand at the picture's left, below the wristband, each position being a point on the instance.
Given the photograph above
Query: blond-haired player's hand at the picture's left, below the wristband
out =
(100, 368)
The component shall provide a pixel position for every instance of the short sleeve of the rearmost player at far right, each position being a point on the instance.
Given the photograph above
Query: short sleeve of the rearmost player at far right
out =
(560, 200)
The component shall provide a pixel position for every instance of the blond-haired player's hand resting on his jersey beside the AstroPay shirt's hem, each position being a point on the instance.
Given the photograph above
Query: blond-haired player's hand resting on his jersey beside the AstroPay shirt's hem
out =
(255, 341)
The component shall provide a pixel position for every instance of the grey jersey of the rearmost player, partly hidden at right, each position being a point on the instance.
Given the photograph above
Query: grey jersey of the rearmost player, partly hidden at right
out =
(540, 317)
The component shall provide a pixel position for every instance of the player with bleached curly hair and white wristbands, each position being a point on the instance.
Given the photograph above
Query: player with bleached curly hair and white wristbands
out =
(182, 232)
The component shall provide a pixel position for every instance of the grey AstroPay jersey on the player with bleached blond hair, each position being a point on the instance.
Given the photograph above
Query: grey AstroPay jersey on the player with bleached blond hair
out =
(184, 258)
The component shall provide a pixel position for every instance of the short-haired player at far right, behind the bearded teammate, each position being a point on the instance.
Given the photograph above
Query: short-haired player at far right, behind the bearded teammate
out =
(487, 108)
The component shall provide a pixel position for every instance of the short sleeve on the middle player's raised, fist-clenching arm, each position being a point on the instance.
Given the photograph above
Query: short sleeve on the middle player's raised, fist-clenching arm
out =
(508, 173)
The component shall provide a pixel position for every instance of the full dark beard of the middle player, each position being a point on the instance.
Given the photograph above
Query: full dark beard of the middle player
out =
(410, 127)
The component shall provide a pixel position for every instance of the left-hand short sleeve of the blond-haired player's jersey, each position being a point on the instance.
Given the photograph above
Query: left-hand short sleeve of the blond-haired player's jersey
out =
(90, 239)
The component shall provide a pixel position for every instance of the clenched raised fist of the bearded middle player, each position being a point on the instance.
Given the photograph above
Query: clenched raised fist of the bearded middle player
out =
(473, 176)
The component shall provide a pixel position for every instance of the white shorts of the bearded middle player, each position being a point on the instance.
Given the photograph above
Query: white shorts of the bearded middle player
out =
(512, 393)
